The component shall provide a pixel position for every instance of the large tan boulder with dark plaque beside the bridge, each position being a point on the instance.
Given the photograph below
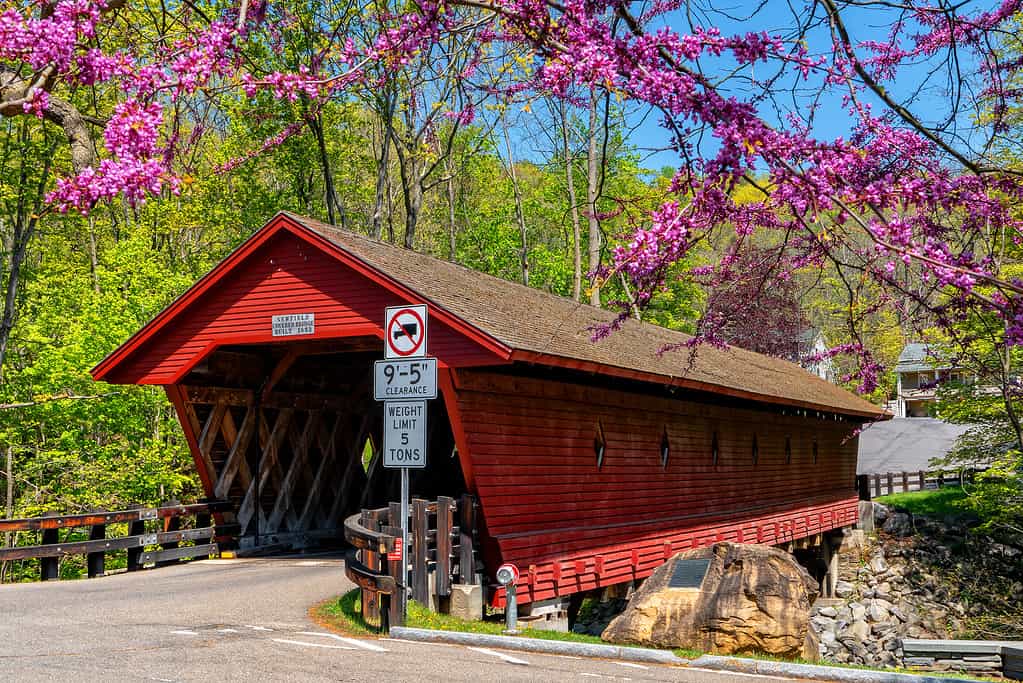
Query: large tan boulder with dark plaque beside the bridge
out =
(753, 599)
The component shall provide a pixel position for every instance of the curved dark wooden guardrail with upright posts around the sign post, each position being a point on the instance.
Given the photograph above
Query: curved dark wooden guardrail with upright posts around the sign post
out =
(438, 547)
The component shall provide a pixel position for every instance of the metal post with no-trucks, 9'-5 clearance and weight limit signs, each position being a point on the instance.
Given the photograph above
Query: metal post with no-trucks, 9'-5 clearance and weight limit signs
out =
(404, 383)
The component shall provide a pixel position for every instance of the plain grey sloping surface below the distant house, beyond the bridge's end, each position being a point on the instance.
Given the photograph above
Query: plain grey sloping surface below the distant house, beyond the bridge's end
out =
(906, 444)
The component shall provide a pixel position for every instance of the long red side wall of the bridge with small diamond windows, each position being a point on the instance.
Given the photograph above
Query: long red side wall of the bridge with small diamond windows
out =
(571, 526)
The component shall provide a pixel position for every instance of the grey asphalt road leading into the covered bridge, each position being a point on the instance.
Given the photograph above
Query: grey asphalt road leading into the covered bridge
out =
(246, 620)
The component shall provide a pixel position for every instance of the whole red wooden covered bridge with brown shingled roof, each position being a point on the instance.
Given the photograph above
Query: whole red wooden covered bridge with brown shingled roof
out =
(592, 462)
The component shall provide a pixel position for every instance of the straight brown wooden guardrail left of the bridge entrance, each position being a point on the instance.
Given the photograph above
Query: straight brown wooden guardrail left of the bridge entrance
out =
(155, 535)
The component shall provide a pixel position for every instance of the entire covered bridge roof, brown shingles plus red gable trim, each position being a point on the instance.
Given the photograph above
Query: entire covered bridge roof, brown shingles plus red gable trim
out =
(524, 325)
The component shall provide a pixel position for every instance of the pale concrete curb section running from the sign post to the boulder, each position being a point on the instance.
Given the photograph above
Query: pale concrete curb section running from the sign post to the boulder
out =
(538, 646)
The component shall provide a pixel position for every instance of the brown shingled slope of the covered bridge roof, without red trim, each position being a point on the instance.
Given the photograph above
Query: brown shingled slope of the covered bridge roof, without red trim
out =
(548, 330)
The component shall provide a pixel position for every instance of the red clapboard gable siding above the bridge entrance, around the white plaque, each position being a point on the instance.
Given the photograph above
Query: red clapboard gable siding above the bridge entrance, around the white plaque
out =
(285, 276)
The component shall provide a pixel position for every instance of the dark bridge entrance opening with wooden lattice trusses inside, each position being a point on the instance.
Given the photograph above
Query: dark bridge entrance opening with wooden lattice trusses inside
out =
(291, 435)
